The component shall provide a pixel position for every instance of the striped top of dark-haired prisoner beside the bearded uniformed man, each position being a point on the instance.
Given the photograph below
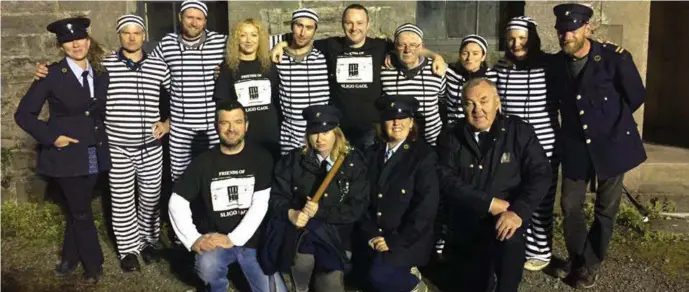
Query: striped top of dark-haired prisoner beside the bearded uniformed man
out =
(523, 93)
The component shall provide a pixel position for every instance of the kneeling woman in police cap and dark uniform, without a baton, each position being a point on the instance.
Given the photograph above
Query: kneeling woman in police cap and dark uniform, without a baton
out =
(404, 199)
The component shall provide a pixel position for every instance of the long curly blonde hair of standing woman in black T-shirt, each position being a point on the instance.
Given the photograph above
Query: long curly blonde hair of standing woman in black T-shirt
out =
(262, 52)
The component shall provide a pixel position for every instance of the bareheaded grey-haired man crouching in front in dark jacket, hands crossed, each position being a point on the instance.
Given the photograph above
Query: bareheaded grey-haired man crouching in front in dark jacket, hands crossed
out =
(493, 172)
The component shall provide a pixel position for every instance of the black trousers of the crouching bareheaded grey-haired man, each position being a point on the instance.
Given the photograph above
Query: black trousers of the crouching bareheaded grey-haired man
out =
(477, 261)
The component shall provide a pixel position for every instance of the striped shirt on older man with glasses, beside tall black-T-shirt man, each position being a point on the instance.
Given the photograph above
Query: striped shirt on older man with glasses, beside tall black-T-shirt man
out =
(426, 87)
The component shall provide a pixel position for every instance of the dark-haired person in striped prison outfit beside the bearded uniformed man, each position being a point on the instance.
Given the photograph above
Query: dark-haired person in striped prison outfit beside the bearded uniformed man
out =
(521, 82)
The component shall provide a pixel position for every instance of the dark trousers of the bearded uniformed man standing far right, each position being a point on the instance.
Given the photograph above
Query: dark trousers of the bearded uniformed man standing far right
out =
(588, 247)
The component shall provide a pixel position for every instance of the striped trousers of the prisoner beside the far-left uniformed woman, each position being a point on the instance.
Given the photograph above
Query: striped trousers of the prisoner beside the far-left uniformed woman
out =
(136, 226)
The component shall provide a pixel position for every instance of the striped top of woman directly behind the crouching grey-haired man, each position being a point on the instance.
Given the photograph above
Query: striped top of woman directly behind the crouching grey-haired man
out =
(455, 83)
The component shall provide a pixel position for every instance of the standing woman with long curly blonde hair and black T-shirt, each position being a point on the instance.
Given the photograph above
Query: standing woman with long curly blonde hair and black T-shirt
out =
(247, 75)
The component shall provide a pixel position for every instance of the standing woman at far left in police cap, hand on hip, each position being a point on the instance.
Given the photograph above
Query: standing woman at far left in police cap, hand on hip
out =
(73, 147)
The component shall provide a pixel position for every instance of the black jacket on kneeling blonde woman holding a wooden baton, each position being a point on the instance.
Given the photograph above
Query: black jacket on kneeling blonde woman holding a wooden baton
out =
(297, 175)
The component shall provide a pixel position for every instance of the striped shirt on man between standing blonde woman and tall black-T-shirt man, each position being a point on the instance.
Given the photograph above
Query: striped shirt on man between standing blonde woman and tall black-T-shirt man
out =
(301, 84)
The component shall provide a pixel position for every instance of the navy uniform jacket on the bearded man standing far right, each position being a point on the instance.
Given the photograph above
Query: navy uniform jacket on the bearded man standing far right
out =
(599, 133)
